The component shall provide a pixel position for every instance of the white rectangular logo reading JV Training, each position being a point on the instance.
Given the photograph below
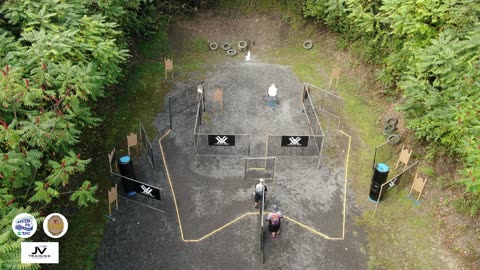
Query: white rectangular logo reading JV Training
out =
(39, 252)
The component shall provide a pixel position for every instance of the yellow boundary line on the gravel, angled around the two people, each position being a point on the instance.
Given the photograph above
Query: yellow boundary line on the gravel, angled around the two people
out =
(254, 213)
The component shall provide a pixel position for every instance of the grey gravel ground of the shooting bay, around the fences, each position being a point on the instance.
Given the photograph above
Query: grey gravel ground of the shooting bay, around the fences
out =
(210, 190)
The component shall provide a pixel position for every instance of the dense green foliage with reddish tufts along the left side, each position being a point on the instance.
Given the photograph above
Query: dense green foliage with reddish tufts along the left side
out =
(56, 57)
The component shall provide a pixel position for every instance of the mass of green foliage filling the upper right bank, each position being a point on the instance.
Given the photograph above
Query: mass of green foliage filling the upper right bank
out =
(429, 50)
